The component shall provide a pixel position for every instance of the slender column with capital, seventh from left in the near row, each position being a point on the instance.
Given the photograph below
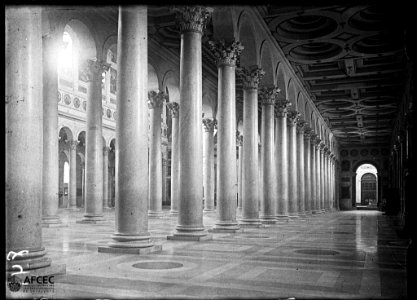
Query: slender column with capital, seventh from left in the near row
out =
(281, 159)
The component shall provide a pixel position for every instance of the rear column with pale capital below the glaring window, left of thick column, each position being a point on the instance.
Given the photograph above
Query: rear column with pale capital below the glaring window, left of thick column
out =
(92, 74)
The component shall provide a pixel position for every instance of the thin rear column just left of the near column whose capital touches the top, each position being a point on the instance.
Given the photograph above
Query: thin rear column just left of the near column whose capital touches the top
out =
(175, 183)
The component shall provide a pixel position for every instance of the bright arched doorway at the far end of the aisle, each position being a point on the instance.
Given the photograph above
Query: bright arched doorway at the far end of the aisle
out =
(366, 186)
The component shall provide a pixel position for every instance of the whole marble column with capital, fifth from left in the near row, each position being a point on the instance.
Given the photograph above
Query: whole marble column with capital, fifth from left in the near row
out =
(250, 172)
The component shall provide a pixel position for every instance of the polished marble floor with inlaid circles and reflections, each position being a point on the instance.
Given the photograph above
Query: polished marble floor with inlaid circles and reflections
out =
(351, 254)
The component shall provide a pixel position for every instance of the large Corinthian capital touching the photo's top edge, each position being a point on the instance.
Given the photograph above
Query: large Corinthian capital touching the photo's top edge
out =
(192, 18)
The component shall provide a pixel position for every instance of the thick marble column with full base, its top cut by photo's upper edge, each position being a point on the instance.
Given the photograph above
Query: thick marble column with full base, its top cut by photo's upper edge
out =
(132, 173)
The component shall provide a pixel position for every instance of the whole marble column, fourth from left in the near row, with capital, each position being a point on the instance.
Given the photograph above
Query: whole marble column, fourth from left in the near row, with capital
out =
(226, 54)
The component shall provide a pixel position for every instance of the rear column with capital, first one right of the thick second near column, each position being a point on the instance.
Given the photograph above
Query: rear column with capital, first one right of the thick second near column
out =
(155, 102)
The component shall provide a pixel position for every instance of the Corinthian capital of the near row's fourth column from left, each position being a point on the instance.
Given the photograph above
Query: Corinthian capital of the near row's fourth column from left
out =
(226, 53)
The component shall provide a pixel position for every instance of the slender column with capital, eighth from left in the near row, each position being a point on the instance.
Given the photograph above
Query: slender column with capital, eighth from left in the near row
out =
(292, 166)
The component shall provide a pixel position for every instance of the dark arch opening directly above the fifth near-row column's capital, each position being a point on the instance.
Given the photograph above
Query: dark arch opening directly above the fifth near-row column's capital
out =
(249, 56)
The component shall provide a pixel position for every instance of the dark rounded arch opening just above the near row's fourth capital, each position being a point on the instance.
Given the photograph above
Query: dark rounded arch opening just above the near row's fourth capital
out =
(224, 26)
